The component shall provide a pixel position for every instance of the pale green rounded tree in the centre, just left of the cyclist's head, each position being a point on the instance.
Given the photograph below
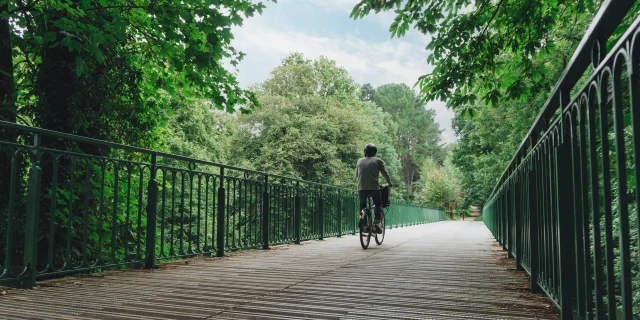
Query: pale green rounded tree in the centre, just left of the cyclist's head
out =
(311, 124)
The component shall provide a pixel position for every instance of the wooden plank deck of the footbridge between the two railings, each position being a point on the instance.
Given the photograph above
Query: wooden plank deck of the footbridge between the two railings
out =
(445, 270)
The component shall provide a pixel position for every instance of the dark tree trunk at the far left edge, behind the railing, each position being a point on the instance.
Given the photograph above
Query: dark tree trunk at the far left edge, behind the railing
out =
(7, 104)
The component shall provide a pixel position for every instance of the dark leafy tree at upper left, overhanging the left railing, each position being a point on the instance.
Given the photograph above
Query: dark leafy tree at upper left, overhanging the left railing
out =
(77, 61)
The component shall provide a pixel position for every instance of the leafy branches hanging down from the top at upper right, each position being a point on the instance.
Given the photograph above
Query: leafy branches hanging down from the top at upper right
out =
(469, 38)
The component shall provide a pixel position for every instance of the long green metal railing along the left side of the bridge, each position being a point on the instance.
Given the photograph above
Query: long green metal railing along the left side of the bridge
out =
(74, 204)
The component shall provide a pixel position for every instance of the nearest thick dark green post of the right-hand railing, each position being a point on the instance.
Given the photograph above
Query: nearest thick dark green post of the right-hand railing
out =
(566, 230)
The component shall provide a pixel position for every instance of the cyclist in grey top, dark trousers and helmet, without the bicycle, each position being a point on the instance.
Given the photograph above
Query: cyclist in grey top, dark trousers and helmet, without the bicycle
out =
(367, 171)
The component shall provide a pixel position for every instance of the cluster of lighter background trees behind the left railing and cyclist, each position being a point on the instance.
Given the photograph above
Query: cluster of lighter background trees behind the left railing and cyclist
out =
(314, 120)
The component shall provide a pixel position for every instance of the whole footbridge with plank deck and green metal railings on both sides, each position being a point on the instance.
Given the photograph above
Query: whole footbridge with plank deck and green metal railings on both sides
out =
(129, 233)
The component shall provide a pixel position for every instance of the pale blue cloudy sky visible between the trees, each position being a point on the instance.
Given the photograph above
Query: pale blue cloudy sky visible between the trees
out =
(323, 28)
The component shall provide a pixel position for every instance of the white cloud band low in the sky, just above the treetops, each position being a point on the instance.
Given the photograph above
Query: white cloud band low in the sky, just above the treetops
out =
(380, 62)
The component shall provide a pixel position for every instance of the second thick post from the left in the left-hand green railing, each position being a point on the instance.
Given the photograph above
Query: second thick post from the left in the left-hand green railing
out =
(152, 213)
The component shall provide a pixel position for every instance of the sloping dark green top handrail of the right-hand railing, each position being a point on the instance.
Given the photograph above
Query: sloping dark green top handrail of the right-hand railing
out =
(604, 24)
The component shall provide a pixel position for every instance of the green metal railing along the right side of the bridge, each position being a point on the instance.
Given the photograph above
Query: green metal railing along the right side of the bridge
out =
(567, 206)
